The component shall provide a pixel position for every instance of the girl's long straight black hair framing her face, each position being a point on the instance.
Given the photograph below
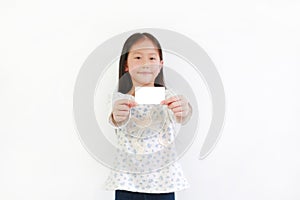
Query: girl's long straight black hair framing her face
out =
(125, 82)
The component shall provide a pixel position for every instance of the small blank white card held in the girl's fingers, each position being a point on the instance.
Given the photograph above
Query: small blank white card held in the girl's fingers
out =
(149, 95)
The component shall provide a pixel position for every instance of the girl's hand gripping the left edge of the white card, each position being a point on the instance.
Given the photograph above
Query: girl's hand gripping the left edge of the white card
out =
(121, 110)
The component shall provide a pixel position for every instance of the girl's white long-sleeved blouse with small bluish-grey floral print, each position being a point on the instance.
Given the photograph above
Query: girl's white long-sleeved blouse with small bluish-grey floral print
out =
(146, 157)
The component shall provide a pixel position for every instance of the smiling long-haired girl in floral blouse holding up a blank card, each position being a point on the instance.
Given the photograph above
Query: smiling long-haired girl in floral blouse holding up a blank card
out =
(146, 168)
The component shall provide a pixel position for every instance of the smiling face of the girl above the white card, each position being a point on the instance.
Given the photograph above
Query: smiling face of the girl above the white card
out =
(143, 63)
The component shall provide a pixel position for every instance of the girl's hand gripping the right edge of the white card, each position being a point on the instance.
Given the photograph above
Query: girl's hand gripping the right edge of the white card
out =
(179, 105)
